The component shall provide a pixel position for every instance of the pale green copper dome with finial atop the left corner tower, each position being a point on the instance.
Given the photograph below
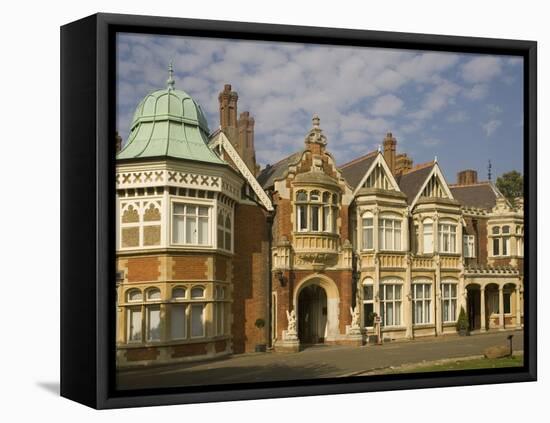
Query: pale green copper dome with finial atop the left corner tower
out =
(169, 123)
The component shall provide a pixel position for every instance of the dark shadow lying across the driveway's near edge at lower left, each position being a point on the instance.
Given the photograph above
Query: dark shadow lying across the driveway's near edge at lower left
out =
(159, 378)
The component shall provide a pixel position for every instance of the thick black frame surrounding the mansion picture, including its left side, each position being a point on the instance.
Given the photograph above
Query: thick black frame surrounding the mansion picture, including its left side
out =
(87, 209)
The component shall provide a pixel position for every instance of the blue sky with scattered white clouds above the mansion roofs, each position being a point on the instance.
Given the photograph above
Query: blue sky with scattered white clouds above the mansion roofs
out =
(463, 108)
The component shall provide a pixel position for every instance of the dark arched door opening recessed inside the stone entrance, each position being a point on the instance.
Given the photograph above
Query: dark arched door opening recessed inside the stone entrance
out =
(312, 314)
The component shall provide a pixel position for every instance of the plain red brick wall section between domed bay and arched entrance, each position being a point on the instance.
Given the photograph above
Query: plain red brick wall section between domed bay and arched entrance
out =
(250, 278)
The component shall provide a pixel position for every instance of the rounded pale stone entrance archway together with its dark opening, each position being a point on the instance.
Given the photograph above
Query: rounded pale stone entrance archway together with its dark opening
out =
(316, 301)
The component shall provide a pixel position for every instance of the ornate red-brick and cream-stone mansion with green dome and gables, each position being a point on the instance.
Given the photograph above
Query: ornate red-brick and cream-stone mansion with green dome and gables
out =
(216, 256)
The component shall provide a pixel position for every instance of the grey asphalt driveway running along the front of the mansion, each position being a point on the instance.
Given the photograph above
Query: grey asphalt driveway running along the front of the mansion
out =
(314, 362)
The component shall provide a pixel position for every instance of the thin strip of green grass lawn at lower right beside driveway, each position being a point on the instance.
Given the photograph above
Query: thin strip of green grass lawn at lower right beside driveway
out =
(464, 364)
